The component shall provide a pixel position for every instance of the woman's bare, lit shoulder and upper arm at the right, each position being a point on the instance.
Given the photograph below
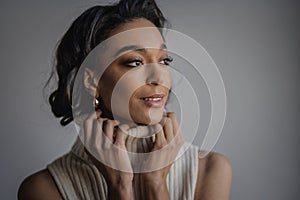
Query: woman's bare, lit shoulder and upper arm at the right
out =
(214, 177)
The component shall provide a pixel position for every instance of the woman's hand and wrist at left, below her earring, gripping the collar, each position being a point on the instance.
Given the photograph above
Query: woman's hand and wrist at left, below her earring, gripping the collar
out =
(106, 146)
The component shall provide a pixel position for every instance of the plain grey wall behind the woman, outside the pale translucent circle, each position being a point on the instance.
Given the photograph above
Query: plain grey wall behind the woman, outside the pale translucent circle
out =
(255, 44)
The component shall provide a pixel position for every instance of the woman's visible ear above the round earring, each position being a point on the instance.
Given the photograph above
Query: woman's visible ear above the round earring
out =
(90, 82)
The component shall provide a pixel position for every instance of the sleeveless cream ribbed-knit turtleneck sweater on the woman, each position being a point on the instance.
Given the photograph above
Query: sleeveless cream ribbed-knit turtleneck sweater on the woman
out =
(78, 178)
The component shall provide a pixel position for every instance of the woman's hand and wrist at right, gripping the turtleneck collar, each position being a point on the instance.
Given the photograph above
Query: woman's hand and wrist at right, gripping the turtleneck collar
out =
(168, 141)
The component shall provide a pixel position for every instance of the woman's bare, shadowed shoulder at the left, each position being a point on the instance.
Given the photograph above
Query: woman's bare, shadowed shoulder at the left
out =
(39, 185)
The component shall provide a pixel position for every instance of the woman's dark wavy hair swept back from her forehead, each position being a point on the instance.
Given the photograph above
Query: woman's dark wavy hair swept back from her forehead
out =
(88, 30)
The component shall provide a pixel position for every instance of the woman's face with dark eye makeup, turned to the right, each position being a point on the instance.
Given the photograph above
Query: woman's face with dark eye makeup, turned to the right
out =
(136, 85)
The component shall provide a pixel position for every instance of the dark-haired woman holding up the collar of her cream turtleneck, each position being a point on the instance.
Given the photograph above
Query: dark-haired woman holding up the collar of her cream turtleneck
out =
(101, 168)
